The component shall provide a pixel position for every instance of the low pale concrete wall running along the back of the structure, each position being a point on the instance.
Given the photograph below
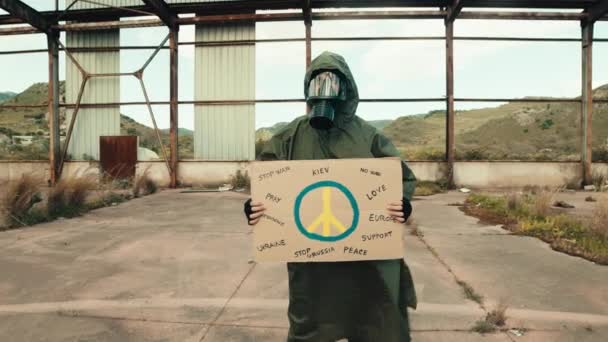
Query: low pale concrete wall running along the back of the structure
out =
(474, 174)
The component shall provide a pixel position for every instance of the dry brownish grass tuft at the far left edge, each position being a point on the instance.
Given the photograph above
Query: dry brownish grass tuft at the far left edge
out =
(19, 200)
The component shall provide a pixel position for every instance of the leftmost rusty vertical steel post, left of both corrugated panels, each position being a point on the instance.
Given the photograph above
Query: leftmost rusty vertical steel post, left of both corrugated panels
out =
(53, 106)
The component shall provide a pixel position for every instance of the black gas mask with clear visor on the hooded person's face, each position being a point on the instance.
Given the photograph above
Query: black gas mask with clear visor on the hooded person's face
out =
(325, 91)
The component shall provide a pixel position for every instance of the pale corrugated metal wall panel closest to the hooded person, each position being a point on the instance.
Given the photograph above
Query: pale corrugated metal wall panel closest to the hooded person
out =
(224, 132)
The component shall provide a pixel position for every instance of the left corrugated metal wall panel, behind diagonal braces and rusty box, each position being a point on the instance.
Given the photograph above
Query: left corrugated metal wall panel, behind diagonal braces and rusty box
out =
(93, 122)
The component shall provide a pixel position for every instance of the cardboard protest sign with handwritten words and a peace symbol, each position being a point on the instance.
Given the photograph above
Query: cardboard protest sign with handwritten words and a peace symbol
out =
(327, 210)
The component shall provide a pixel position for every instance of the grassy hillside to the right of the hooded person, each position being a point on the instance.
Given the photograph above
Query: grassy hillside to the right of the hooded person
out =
(516, 131)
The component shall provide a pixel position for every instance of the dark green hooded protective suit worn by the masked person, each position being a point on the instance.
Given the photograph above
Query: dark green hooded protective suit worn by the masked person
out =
(365, 300)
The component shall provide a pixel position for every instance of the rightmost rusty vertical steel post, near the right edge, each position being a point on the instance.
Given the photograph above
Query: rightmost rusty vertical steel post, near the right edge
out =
(587, 101)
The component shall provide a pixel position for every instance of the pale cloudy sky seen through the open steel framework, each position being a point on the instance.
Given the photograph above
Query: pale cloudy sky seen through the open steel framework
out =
(381, 68)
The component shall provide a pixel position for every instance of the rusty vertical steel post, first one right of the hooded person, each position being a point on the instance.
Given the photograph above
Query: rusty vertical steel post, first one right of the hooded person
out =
(449, 89)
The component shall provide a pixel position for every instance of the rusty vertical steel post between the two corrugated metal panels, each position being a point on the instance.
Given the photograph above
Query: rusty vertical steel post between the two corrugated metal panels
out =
(173, 109)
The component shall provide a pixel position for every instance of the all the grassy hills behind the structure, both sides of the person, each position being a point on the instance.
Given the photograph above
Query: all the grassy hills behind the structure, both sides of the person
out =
(513, 131)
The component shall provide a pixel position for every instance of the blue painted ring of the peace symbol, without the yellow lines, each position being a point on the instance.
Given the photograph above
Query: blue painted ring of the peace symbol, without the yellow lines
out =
(323, 184)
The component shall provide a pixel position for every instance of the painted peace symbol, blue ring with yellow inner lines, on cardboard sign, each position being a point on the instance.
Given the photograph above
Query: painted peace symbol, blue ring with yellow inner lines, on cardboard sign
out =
(326, 226)
